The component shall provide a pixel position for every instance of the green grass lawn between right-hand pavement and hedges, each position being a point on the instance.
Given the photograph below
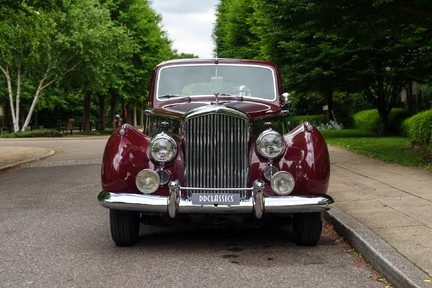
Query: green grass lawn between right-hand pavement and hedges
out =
(394, 149)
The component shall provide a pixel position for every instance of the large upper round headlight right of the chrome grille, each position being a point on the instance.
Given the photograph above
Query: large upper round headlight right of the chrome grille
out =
(270, 144)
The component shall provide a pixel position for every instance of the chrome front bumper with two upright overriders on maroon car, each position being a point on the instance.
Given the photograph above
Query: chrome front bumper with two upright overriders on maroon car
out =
(174, 204)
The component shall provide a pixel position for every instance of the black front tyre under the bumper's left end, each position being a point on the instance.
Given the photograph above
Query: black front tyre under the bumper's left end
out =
(124, 227)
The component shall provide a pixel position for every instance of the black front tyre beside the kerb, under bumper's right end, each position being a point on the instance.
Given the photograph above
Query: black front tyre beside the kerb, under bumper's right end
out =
(307, 228)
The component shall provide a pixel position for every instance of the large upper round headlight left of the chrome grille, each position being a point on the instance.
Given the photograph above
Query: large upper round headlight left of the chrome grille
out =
(163, 148)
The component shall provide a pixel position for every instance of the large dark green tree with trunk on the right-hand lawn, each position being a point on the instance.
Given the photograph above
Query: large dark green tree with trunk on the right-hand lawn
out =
(374, 50)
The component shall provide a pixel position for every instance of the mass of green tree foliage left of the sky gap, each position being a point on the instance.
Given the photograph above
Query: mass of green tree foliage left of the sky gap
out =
(76, 48)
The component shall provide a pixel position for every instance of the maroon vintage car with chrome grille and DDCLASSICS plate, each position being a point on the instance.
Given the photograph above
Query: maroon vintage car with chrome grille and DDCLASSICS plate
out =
(216, 149)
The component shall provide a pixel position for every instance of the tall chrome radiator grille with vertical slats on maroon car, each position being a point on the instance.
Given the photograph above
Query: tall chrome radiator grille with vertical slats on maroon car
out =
(216, 150)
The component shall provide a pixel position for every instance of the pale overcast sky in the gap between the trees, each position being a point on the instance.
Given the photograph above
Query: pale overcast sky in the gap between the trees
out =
(189, 24)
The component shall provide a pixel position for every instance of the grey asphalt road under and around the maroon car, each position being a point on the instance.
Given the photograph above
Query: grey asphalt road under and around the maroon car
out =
(54, 234)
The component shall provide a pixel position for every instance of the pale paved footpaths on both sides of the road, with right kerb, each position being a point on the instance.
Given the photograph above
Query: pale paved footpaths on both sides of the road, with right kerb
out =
(383, 210)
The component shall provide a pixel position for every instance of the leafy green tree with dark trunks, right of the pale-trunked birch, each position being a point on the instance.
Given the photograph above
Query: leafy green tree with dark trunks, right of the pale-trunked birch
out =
(103, 50)
